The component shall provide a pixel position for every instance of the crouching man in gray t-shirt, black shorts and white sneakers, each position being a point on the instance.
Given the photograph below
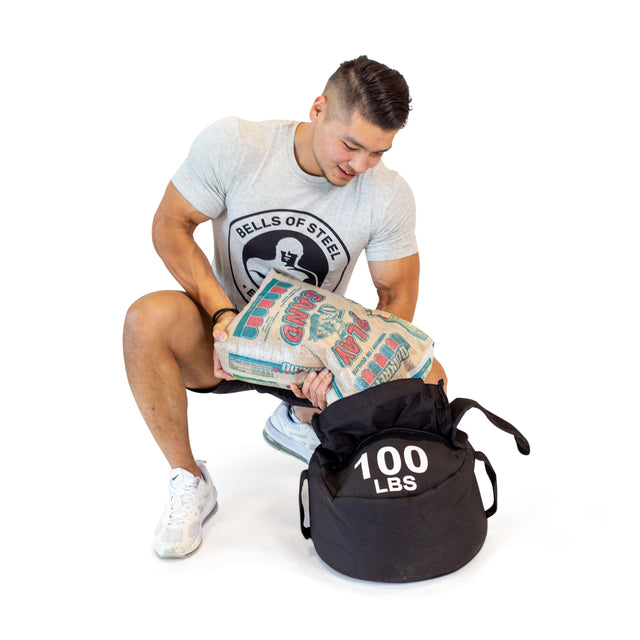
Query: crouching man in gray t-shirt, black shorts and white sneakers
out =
(319, 182)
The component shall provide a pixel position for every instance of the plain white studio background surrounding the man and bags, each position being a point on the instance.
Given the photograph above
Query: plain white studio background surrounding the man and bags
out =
(522, 150)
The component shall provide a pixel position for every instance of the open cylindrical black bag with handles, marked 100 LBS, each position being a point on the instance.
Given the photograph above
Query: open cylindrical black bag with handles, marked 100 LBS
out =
(393, 495)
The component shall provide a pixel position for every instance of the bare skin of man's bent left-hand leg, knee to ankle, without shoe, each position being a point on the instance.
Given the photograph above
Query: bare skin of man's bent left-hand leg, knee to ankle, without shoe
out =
(168, 347)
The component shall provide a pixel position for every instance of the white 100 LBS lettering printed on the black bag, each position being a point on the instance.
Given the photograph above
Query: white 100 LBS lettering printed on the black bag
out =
(389, 462)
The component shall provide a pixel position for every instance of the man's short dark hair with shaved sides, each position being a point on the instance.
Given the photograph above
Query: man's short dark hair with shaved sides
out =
(379, 93)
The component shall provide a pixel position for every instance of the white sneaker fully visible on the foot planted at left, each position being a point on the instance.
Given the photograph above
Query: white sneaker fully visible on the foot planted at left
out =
(191, 501)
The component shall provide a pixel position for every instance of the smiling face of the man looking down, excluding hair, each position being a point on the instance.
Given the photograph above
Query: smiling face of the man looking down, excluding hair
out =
(344, 147)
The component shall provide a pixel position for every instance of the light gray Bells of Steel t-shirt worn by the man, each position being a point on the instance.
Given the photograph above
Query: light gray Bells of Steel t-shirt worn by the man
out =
(267, 213)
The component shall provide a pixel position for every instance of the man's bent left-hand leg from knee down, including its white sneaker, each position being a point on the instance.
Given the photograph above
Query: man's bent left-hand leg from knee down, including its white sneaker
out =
(168, 347)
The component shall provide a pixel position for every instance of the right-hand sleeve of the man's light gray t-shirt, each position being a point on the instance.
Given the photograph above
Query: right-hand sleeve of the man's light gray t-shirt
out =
(394, 233)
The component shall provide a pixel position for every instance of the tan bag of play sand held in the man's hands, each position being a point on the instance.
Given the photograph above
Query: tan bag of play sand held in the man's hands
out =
(289, 329)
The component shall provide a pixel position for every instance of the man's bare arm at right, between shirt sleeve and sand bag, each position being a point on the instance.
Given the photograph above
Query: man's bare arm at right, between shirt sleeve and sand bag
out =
(396, 282)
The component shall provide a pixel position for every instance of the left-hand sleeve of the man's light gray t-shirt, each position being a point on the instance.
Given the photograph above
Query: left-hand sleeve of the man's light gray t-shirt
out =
(203, 176)
